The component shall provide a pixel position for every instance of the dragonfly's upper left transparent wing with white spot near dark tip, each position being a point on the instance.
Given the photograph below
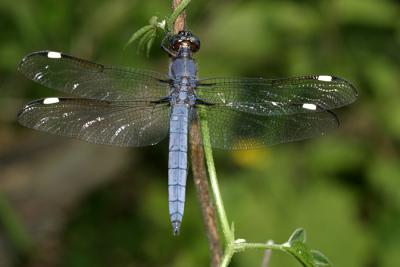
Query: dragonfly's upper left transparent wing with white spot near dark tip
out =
(90, 80)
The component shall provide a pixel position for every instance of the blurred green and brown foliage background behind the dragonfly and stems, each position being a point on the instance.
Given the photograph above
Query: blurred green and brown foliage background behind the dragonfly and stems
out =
(68, 203)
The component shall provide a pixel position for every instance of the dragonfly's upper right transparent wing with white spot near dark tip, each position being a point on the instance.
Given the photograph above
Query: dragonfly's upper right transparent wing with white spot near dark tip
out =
(278, 97)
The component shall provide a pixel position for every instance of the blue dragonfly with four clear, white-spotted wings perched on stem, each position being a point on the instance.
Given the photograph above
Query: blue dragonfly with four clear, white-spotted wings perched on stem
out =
(129, 107)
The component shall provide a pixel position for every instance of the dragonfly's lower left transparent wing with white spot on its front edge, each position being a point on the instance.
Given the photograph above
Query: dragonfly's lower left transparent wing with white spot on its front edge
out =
(121, 123)
